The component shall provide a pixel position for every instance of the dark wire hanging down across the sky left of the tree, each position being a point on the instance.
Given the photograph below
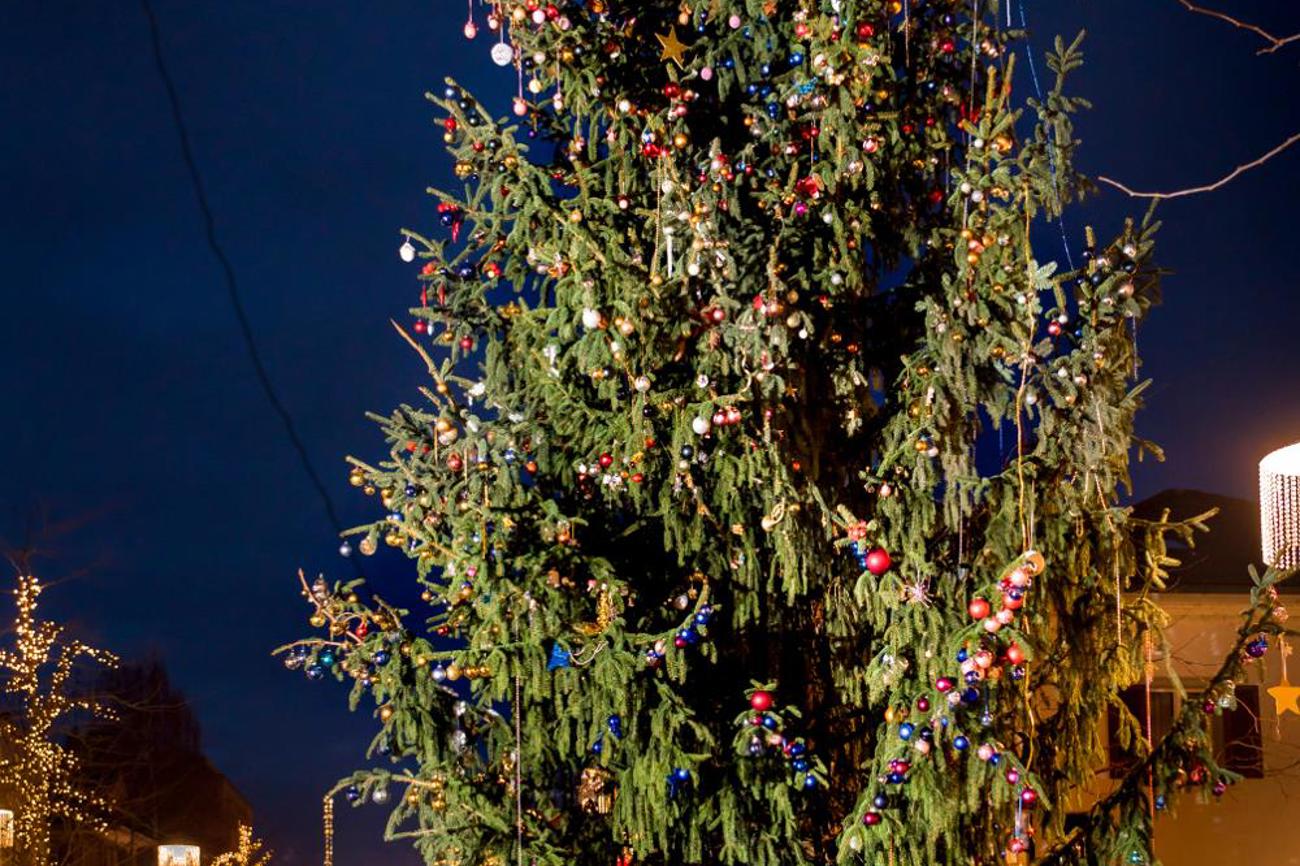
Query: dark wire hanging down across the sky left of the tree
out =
(229, 271)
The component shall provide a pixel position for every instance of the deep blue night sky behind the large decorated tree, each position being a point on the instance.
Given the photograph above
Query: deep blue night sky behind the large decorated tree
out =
(132, 409)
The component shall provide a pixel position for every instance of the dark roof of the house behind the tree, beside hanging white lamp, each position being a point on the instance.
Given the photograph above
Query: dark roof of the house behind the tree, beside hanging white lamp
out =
(1220, 560)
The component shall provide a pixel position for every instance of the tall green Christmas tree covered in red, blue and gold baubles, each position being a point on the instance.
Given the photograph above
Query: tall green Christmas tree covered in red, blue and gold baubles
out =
(766, 490)
